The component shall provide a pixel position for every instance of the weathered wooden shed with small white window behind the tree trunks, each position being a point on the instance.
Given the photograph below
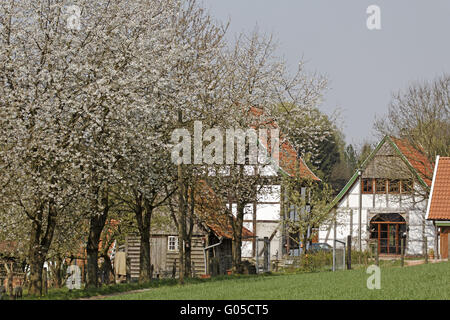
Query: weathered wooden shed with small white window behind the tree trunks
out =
(212, 236)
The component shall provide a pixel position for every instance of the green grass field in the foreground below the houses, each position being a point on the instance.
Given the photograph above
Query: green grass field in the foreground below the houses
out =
(430, 281)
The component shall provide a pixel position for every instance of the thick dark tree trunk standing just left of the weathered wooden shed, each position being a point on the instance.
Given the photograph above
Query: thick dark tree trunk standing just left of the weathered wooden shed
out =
(97, 223)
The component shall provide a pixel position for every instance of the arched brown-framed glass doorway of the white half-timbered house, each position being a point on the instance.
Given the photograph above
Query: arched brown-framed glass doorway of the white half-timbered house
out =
(387, 229)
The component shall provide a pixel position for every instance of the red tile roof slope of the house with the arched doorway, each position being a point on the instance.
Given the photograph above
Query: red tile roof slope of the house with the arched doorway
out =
(416, 158)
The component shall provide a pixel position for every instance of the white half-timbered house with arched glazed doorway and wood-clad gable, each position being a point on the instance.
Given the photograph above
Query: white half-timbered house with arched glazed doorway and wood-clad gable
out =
(384, 200)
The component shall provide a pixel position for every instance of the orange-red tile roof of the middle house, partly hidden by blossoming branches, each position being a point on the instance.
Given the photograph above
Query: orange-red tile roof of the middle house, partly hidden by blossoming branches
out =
(289, 160)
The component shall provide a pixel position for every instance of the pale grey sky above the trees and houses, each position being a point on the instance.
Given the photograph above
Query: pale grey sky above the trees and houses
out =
(364, 67)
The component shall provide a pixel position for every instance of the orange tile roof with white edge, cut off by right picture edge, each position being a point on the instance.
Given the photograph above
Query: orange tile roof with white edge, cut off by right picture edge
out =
(439, 202)
